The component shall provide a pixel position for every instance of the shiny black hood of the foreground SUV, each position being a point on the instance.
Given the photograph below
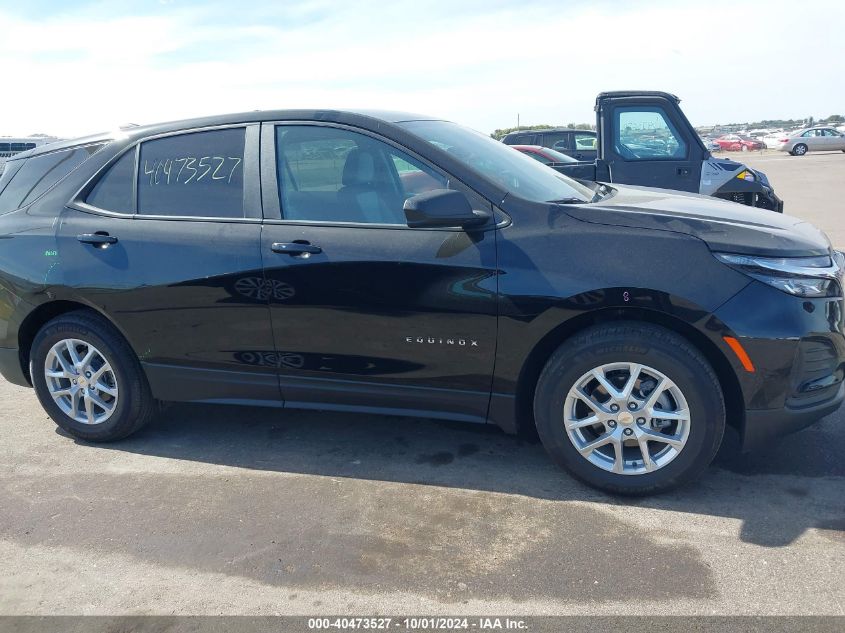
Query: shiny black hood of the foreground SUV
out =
(724, 226)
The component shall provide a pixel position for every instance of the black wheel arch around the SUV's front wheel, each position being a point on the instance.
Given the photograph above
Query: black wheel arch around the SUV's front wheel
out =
(542, 351)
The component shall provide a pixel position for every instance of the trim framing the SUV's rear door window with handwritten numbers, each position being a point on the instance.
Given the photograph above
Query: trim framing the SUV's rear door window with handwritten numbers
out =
(251, 196)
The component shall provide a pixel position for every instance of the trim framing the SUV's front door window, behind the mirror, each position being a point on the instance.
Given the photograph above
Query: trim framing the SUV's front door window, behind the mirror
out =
(270, 184)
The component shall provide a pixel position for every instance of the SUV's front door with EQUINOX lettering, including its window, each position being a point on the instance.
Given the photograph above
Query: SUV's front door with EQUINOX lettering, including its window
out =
(368, 313)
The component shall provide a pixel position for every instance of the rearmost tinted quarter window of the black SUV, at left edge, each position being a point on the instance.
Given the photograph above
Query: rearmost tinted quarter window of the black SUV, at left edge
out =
(38, 174)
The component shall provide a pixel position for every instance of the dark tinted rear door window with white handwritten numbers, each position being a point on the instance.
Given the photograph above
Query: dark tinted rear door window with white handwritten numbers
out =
(199, 174)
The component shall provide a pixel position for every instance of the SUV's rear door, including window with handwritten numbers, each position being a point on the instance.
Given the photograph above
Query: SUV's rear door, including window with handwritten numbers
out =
(166, 244)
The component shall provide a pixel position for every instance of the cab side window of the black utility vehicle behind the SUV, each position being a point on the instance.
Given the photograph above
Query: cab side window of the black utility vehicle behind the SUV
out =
(646, 133)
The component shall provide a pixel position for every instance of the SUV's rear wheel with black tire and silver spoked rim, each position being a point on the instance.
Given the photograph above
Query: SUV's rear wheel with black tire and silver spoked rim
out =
(126, 402)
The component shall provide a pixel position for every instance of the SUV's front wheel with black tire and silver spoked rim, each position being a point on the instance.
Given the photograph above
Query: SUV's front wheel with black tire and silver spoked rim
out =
(658, 351)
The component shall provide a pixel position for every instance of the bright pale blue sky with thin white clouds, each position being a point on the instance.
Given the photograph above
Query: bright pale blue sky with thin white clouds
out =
(72, 67)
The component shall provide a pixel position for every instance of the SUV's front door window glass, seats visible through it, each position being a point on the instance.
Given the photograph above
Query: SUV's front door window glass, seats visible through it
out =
(328, 174)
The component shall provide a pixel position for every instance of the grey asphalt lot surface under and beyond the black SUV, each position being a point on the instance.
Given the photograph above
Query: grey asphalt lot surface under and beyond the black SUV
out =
(216, 510)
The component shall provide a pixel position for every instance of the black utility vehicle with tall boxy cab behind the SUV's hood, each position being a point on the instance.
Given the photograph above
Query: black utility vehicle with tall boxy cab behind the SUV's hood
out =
(645, 139)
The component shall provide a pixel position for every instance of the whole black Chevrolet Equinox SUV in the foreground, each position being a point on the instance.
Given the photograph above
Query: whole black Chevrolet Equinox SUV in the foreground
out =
(393, 263)
